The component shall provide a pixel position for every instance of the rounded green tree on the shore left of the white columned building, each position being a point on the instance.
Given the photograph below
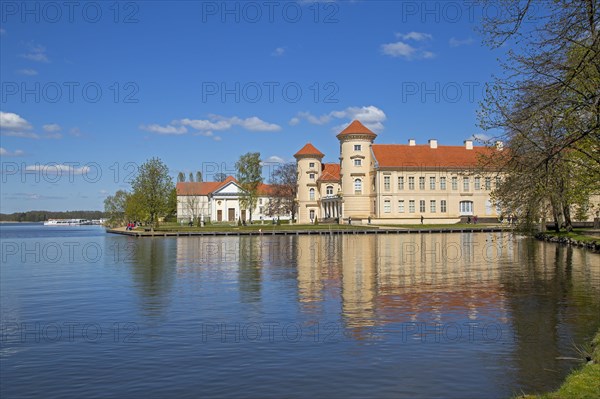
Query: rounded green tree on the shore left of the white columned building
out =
(152, 188)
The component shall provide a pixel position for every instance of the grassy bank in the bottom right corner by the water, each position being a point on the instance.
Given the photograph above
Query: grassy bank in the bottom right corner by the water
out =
(582, 383)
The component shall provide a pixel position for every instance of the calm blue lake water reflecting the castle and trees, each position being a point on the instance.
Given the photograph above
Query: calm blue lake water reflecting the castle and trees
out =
(86, 314)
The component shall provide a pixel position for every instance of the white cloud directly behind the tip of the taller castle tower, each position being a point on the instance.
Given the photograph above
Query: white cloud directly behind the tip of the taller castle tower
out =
(371, 116)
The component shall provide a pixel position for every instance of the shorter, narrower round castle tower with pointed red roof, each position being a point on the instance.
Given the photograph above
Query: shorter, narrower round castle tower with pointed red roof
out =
(308, 163)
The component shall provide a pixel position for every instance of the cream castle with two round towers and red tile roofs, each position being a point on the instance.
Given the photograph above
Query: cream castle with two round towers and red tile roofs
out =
(393, 183)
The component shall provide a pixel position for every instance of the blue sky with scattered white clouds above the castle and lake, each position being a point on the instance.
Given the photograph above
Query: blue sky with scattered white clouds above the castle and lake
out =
(91, 91)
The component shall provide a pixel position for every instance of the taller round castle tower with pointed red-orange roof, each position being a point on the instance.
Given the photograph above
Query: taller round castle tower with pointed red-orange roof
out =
(357, 172)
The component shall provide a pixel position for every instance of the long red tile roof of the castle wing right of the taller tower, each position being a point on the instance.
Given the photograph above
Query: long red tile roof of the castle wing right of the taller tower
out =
(401, 155)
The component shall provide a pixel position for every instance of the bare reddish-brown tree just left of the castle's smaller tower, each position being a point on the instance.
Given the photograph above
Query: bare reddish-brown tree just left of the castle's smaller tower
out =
(283, 191)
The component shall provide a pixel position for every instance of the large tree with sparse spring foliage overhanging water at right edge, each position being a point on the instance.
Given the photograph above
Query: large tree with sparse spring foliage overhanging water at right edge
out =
(546, 106)
